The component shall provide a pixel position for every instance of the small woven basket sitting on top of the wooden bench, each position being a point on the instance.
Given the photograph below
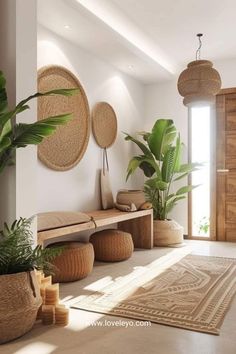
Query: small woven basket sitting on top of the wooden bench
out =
(128, 197)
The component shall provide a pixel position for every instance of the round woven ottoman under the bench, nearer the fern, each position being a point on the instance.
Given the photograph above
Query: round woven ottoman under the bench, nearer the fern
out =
(75, 262)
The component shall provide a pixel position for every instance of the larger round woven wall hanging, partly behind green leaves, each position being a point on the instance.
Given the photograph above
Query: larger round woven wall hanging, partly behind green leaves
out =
(66, 147)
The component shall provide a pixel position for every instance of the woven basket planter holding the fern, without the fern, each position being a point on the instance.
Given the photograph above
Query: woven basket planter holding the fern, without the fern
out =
(19, 303)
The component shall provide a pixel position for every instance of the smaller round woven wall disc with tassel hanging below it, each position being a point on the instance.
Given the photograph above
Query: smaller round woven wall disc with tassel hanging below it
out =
(104, 124)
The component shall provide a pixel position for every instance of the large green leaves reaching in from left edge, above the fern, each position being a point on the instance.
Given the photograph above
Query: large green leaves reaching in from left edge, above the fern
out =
(19, 135)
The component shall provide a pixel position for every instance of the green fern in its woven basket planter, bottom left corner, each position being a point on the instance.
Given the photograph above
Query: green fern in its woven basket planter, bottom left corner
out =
(19, 292)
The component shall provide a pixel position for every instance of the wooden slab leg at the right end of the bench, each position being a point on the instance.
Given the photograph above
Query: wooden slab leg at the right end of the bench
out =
(141, 230)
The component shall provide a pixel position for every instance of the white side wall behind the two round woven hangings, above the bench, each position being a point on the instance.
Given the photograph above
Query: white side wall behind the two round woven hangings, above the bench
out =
(78, 189)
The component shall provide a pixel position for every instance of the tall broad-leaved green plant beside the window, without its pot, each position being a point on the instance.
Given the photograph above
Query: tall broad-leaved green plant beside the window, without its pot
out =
(160, 162)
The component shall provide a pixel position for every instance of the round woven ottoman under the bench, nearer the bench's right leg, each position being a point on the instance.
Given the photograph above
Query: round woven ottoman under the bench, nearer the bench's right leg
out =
(112, 245)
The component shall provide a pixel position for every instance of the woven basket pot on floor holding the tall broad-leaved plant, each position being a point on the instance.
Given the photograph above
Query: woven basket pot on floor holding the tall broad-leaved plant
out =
(167, 232)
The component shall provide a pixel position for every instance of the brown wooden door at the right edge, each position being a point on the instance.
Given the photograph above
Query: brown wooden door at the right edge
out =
(226, 165)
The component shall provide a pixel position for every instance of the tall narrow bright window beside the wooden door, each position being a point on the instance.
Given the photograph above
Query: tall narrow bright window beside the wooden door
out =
(200, 151)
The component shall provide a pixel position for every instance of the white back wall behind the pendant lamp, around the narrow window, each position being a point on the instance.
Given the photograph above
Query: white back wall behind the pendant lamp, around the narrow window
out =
(163, 101)
